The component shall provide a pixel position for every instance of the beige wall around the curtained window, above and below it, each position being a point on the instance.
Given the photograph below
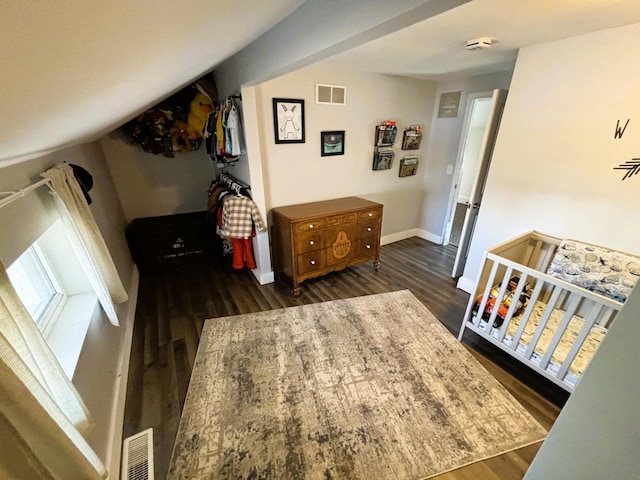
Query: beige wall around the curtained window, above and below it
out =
(97, 374)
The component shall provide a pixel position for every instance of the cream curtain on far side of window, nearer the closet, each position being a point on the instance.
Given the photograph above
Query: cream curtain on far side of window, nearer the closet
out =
(88, 243)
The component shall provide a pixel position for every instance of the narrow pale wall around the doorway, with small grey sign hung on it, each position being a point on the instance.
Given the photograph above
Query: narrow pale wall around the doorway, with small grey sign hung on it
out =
(443, 150)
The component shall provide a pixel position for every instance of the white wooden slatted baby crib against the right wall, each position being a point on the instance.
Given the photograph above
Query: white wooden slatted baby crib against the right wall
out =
(561, 325)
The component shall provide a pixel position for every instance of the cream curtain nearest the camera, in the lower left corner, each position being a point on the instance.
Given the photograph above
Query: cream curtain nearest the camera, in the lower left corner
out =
(40, 410)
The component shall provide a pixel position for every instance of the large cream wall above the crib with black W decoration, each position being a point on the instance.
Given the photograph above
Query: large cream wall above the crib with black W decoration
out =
(552, 168)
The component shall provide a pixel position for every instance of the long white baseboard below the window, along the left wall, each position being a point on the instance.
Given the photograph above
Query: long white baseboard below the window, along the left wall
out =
(112, 462)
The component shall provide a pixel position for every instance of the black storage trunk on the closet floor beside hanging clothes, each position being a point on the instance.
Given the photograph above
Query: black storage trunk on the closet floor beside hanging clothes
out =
(171, 241)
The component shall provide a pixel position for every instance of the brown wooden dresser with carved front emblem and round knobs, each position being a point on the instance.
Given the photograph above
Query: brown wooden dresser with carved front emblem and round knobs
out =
(313, 239)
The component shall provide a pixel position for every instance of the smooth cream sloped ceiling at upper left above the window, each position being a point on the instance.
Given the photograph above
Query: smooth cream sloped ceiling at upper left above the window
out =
(75, 70)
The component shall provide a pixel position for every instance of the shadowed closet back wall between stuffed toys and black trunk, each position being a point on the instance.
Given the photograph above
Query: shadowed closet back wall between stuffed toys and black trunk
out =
(153, 185)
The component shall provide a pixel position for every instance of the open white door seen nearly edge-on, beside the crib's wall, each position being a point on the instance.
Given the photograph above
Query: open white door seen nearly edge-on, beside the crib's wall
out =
(481, 168)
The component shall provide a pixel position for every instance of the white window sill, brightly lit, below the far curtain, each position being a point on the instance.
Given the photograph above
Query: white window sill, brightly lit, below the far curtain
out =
(67, 335)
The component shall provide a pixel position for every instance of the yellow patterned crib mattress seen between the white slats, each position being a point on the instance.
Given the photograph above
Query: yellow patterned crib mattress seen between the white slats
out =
(582, 359)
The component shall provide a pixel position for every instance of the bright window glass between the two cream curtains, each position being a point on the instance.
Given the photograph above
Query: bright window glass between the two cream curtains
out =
(37, 286)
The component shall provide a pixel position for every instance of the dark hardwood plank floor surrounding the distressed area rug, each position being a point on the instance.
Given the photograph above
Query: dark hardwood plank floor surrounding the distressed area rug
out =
(173, 305)
